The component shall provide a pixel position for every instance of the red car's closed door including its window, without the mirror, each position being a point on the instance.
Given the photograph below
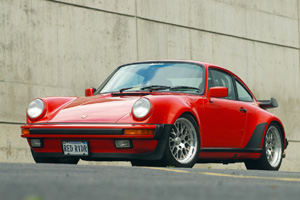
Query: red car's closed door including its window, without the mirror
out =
(225, 118)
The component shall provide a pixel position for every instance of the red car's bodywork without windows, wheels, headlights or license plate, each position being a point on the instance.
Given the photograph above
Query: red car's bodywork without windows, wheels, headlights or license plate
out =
(229, 130)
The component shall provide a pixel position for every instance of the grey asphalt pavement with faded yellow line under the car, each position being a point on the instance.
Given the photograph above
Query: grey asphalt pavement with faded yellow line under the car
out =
(82, 182)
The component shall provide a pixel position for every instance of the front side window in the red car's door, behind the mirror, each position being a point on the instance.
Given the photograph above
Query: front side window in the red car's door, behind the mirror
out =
(218, 78)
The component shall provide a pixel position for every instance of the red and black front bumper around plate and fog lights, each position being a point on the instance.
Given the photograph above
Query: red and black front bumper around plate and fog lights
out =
(100, 138)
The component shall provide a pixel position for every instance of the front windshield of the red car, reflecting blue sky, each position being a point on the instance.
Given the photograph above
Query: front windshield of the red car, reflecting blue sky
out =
(172, 76)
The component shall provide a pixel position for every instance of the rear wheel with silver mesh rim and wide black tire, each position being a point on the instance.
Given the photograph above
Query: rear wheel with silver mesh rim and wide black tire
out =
(271, 156)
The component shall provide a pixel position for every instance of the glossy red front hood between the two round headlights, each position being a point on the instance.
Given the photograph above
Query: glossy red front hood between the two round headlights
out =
(100, 109)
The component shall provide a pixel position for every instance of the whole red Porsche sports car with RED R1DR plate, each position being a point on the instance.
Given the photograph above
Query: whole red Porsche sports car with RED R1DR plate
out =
(159, 113)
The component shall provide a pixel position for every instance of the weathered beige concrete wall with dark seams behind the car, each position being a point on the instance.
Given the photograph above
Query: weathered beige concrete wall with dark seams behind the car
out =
(58, 48)
